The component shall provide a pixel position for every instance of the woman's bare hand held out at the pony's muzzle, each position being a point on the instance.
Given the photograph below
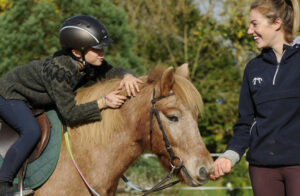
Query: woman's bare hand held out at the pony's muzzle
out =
(222, 166)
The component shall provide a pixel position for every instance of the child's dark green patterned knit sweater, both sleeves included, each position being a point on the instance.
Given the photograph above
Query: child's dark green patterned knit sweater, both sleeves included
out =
(53, 81)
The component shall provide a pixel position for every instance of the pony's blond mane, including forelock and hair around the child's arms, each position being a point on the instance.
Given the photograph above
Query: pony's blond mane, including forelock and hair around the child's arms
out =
(112, 121)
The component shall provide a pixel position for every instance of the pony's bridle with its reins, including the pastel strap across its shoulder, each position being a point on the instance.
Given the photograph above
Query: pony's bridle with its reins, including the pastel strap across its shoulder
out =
(159, 186)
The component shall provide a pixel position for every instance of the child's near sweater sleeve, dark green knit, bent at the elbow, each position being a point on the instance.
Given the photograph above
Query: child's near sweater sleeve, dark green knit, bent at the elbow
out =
(60, 84)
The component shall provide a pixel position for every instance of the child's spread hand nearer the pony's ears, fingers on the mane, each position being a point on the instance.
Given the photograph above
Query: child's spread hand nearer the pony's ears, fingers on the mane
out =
(131, 84)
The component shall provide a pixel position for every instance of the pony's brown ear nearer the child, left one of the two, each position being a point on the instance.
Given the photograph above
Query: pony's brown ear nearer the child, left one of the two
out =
(167, 81)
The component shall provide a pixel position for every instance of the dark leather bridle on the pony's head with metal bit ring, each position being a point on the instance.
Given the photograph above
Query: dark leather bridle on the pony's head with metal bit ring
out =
(154, 112)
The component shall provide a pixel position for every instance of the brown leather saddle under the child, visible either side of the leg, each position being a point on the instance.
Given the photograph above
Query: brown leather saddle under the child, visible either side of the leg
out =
(8, 136)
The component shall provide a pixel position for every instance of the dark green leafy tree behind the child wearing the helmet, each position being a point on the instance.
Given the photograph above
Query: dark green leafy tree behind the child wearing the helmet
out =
(31, 30)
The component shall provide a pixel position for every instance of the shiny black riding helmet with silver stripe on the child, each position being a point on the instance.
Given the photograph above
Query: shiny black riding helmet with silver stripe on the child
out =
(82, 32)
